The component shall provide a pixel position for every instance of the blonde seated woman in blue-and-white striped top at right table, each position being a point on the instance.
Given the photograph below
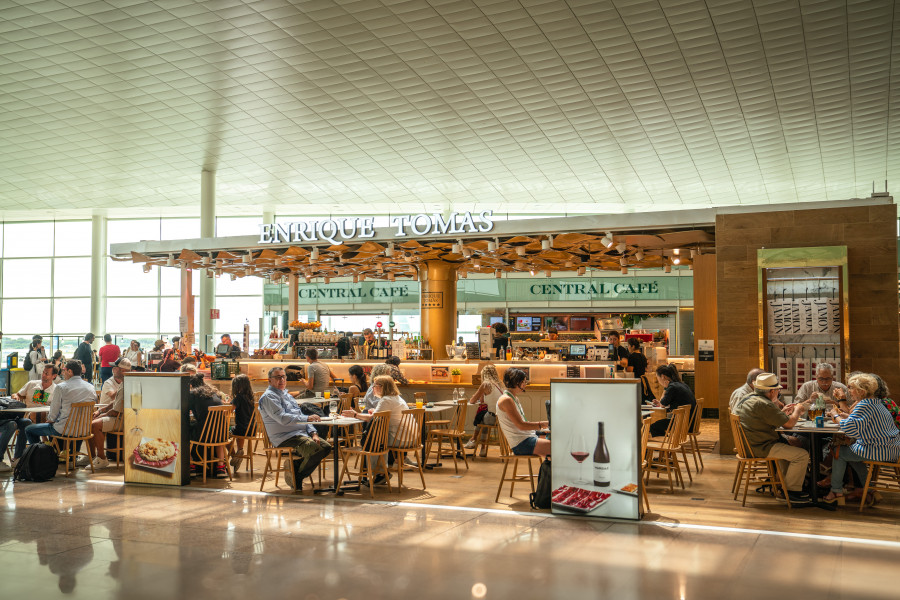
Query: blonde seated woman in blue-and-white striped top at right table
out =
(873, 427)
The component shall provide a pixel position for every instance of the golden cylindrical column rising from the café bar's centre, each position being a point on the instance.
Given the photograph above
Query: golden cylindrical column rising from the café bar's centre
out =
(437, 305)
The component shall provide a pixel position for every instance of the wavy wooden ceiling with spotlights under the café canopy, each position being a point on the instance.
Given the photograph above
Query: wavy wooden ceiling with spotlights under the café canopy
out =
(564, 252)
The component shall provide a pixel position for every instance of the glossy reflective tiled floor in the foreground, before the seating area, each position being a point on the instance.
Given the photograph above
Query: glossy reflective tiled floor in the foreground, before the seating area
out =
(93, 539)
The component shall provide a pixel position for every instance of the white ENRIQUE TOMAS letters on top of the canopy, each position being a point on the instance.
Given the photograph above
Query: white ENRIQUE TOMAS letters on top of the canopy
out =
(337, 231)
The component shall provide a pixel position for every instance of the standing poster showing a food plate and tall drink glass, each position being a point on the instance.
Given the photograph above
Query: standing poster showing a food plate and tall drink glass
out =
(157, 439)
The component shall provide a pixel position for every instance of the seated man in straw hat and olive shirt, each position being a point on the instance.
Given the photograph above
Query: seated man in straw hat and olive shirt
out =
(760, 420)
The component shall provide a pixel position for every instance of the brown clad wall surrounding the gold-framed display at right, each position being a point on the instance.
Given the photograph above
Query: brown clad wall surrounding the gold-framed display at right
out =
(870, 234)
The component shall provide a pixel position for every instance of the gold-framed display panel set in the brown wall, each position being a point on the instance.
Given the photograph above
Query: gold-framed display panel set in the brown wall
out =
(803, 304)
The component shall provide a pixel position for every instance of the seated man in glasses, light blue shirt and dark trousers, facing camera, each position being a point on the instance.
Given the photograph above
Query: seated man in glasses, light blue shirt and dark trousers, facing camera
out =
(287, 427)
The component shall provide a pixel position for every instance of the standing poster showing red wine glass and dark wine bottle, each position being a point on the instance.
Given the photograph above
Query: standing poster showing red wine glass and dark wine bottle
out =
(595, 447)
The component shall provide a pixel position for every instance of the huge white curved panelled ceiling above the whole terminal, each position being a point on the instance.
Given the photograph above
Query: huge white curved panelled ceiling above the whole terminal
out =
(579, 106)
